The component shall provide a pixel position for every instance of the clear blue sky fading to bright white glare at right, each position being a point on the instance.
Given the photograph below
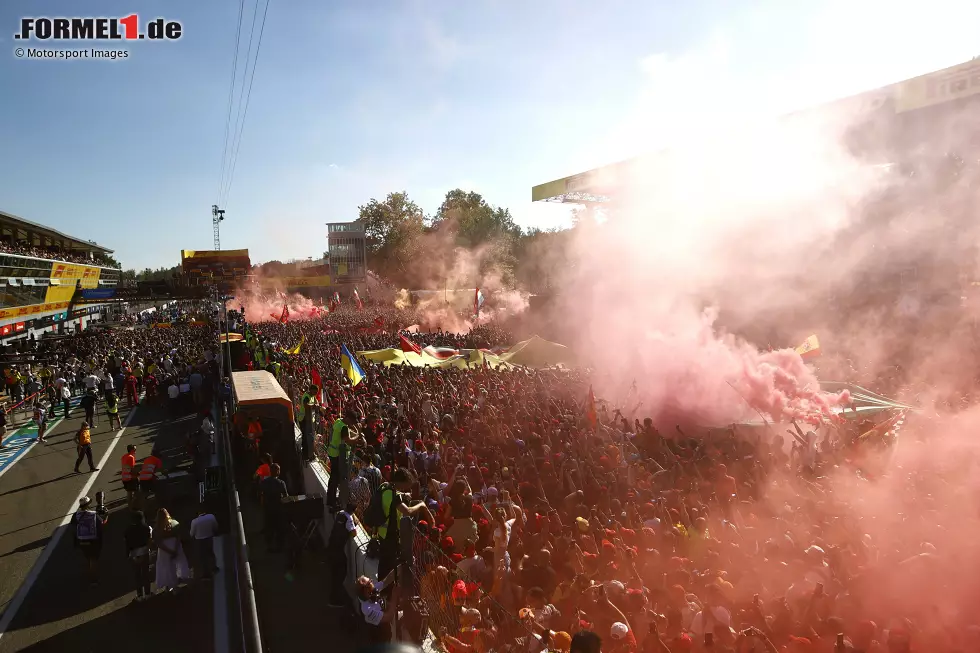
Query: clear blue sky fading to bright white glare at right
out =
(352, 100)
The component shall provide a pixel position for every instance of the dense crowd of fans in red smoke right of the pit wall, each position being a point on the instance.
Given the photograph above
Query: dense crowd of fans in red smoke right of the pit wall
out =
(541, 519)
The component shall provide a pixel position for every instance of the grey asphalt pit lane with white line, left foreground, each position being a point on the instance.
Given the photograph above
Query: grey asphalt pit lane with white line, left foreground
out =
(62, 611)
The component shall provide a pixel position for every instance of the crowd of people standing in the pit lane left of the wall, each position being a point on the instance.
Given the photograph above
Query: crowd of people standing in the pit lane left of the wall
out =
(99, 371)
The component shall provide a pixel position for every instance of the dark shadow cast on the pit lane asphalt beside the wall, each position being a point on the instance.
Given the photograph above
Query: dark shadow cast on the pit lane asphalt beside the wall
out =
(63, 612)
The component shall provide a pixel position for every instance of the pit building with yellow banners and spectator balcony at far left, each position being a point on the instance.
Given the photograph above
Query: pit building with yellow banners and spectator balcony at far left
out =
(40, 268)
